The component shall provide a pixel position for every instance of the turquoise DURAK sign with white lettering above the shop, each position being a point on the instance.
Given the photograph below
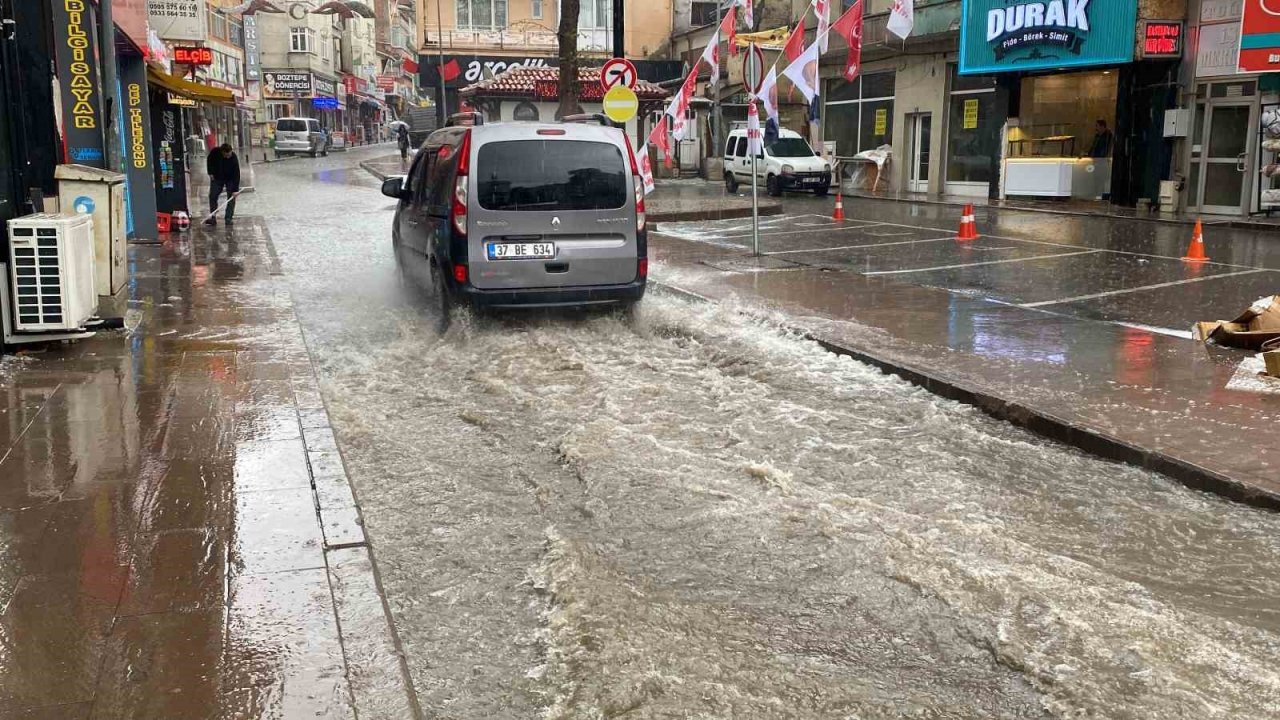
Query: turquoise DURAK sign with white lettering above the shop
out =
(1017, 35)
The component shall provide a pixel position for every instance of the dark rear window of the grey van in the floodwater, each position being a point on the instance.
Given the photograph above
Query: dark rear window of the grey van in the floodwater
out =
(551, 176)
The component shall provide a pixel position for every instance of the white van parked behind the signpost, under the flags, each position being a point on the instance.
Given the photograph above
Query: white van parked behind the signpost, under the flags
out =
(788, 163)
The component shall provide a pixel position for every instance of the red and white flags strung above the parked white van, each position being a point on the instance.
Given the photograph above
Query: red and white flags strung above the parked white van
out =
(802, 67)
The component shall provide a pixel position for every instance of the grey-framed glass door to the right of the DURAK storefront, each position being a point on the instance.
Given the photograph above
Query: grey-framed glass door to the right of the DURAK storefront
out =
(1224, 160)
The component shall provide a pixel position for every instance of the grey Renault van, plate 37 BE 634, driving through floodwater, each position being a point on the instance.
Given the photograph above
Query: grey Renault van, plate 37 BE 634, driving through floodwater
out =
(523, 215)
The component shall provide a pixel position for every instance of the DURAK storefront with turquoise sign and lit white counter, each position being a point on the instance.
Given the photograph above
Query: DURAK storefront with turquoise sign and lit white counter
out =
(1054, 90)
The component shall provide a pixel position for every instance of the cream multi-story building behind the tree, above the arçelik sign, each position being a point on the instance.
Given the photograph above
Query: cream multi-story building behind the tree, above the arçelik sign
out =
(468, 40)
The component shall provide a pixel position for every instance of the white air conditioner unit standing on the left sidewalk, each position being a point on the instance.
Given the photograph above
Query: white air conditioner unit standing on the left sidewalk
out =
(53, 274)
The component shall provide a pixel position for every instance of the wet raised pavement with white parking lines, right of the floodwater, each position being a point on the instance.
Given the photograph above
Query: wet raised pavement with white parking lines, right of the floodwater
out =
(1080, 336)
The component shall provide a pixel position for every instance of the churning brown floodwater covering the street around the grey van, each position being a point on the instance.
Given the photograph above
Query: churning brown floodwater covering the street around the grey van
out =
(697, 514)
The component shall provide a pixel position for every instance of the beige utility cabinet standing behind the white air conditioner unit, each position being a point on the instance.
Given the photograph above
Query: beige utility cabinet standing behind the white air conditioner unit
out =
(100, 194)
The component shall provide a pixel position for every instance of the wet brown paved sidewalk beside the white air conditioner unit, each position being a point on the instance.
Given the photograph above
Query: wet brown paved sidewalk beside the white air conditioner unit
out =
(177, 534)
